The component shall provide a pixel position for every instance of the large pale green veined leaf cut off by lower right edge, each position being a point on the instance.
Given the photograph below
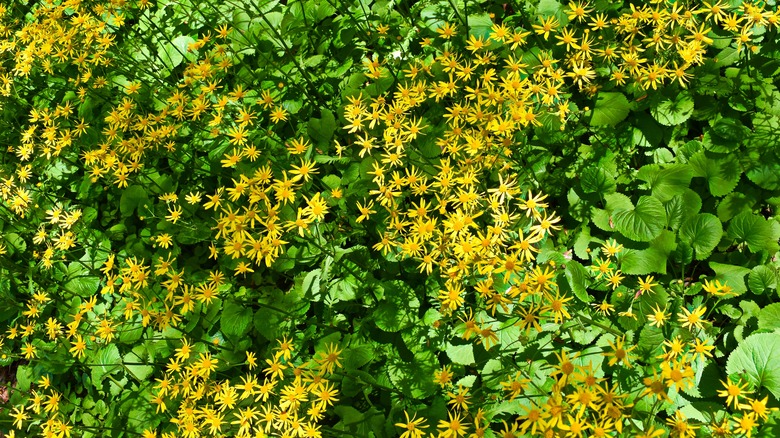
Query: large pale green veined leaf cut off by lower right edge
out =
(757, 356)
